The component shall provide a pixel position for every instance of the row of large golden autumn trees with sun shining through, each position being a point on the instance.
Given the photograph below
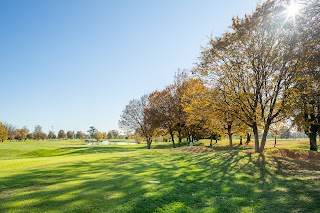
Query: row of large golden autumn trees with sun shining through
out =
(262, 74)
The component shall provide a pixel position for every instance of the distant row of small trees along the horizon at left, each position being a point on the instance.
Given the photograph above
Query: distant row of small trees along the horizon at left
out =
(10, 132)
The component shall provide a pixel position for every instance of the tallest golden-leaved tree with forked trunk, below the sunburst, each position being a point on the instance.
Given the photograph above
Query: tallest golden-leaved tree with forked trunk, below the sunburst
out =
(254, 67)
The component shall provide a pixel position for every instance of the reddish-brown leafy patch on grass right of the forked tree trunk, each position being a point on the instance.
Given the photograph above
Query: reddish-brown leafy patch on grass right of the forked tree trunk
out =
(304, 155)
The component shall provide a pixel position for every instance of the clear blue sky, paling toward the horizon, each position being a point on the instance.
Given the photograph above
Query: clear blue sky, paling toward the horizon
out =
(72, 64)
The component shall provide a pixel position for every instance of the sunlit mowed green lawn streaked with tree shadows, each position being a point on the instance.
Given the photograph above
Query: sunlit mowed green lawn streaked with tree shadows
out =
(68, 176)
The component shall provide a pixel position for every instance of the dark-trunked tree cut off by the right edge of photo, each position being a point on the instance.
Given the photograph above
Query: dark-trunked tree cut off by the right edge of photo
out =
(307, 100)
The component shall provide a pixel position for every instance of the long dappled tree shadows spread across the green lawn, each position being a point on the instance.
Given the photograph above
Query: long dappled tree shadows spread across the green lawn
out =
(221, 182)
